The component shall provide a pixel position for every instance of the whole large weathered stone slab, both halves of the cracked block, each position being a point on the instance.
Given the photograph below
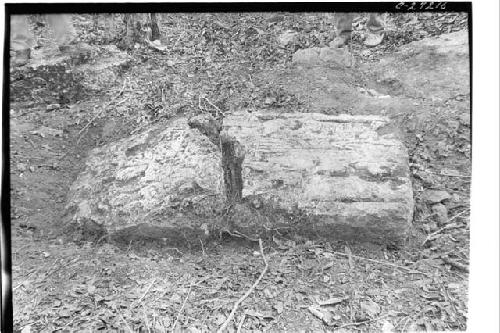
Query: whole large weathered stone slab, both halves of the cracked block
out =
(329, 176)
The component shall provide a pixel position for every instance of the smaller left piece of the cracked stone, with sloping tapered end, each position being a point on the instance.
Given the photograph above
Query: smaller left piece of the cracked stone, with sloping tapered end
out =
(168, 177)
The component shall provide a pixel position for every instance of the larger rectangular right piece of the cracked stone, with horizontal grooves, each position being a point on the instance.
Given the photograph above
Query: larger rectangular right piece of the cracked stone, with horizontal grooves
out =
(346, 175)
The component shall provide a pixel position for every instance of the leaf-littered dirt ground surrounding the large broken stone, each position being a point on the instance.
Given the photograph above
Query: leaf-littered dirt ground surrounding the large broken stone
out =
(66, 282)
